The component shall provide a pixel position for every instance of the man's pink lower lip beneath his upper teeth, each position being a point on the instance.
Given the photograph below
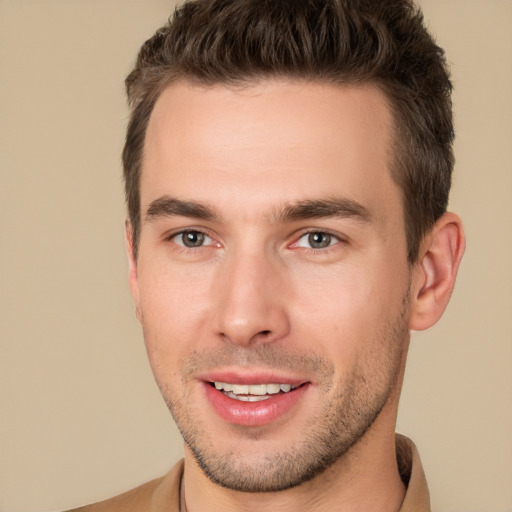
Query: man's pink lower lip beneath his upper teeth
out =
(253, 414)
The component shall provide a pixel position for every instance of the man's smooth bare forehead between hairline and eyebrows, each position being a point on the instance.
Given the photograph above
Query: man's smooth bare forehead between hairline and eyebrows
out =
(278, 139)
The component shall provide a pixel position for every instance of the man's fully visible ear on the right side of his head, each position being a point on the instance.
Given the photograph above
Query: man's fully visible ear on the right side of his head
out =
(435, 271)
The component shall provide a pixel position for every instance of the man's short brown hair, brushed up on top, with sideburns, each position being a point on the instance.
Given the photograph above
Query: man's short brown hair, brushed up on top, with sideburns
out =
(346, 42)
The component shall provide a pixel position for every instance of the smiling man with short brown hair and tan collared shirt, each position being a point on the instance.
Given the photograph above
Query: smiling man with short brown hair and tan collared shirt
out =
(287, 170)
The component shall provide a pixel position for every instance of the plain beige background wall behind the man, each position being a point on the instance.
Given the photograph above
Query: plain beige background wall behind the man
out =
(81, 418)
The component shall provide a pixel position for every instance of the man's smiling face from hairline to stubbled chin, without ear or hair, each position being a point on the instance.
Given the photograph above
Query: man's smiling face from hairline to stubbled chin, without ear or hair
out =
(272, 278)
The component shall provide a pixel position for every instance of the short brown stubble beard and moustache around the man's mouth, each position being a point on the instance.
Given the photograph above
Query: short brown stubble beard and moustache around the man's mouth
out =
(338, 426)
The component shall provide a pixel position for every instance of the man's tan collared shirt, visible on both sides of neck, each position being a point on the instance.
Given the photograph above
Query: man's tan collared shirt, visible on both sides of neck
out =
(163, 494)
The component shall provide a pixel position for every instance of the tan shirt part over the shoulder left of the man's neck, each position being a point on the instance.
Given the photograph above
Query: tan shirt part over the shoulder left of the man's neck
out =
(153, 496)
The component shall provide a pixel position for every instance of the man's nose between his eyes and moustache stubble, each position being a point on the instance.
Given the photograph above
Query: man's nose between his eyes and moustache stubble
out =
(250, 297)
